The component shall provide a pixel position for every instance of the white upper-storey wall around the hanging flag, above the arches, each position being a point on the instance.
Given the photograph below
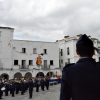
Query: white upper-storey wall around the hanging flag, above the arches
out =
(52, 52)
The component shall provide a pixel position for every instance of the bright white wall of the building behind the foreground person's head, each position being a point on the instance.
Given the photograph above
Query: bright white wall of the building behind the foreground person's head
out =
(71, 43)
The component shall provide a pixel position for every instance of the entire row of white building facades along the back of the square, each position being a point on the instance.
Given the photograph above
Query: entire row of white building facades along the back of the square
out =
(18, 57)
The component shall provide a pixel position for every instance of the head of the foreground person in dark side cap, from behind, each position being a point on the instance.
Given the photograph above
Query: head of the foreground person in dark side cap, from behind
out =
(84, 46)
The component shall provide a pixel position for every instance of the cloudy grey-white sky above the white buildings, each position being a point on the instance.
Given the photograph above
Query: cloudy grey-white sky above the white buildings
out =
(50, 20)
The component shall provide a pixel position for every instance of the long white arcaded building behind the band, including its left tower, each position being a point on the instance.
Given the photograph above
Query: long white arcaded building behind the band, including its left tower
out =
(18, 57)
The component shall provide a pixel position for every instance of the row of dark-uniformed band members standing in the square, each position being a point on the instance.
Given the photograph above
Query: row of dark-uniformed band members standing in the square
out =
(14, 86)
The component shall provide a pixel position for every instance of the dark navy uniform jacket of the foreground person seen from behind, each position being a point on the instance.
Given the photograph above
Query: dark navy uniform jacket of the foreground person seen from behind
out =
(81, 81)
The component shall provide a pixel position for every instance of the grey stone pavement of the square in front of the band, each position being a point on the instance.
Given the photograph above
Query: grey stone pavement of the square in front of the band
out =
(52, 94)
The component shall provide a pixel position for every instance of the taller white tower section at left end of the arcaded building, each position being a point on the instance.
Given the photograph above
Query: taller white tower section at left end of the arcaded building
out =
(6, 47)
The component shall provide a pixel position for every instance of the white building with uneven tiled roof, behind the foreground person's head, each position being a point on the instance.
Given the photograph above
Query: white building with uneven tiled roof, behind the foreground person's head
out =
(67, 49)
